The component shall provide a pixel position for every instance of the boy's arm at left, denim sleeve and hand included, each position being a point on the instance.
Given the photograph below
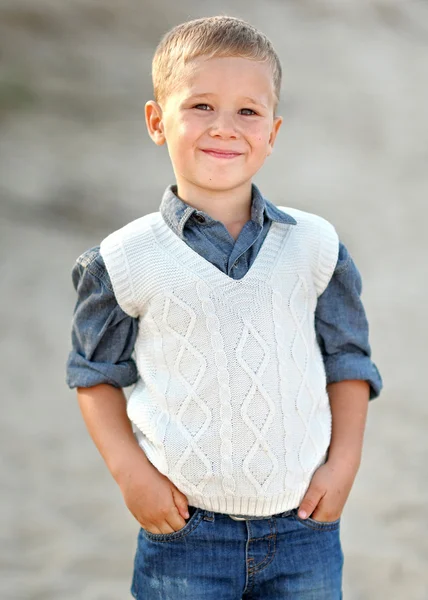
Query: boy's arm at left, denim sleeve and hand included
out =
(99, 366)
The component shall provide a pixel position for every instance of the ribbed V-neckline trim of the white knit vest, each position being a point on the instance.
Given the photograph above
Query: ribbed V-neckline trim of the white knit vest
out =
(213, 272)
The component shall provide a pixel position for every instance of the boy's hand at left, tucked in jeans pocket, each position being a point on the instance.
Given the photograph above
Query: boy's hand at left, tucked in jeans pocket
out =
(156, 503)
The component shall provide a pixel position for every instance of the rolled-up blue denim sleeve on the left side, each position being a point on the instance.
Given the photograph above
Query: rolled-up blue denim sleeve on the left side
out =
(102, 336)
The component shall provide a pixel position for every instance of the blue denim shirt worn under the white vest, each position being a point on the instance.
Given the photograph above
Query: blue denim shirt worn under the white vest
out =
(103, 336)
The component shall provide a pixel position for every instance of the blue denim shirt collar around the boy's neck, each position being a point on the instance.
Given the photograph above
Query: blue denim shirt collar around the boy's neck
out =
(176, 212)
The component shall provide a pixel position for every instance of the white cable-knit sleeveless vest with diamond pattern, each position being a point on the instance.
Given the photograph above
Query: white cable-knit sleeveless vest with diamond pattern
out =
(231, 404)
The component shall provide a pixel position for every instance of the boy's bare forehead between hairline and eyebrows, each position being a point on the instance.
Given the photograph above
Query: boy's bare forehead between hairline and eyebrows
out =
(234, 75)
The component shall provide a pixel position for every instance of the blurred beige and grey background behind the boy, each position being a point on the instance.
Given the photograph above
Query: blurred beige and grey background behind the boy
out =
(76, 163)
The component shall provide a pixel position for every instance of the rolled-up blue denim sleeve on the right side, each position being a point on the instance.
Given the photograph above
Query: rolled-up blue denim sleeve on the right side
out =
(342, 328)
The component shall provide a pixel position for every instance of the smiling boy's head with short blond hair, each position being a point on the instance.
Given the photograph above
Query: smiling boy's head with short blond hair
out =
(216, 84)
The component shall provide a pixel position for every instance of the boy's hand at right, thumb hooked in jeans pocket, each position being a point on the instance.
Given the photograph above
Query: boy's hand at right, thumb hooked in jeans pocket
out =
(328, 492)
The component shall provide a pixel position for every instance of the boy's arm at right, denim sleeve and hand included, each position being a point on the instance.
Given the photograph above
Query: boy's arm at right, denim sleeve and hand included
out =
(342, 332)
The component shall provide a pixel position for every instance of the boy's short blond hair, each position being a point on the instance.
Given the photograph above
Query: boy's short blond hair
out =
(220, 36)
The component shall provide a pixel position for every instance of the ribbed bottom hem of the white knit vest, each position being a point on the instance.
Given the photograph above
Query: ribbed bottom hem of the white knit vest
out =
(250, 506)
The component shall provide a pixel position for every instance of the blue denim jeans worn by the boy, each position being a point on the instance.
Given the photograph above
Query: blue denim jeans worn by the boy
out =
(214, 557)
